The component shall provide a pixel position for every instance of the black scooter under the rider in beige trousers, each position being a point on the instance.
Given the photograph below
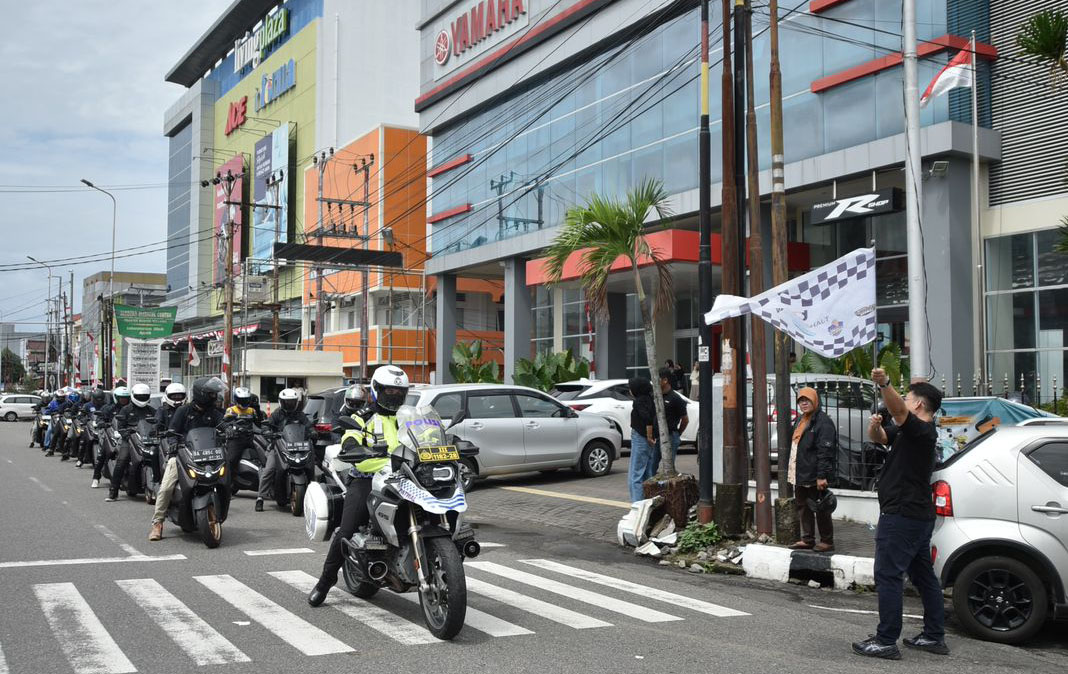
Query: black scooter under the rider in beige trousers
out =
(201, 499)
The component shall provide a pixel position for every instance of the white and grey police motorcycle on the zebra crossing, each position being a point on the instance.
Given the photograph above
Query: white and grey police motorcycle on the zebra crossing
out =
(417, 538)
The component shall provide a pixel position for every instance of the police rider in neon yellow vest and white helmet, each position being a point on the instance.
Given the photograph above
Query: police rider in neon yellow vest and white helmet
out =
(379, 424)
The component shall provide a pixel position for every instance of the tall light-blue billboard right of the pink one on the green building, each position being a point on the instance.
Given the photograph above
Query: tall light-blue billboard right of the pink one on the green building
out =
(272, 225)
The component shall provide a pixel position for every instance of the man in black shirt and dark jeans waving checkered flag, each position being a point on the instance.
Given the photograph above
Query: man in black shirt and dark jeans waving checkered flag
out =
(903, 540)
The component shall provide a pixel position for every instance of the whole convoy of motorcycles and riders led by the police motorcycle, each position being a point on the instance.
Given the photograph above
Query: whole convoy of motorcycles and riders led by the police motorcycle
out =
(402, 458)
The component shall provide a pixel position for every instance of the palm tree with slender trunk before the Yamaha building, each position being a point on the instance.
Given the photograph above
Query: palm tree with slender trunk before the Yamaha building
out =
(602, 232)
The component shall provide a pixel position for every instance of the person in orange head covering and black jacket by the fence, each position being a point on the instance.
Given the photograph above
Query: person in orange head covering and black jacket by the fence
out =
(813, 446)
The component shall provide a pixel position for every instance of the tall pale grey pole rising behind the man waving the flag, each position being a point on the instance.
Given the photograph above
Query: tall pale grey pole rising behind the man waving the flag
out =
(919, 349)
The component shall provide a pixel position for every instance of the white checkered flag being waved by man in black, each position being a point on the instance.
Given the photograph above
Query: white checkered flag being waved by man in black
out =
(830, 310)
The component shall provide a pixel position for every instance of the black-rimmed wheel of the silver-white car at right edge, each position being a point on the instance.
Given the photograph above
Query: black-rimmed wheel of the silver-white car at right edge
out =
(1000, 599)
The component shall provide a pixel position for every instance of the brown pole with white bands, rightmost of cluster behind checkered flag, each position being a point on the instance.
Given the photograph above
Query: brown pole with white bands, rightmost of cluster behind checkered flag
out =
(786, 515)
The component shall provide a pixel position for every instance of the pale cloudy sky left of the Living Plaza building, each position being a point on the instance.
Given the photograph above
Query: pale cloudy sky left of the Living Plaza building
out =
(85, 98)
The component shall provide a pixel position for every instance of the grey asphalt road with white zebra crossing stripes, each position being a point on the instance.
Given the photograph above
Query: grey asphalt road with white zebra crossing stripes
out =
(83, 590)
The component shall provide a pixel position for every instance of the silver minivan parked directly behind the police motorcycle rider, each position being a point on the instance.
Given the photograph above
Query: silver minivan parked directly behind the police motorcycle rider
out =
(520, 430)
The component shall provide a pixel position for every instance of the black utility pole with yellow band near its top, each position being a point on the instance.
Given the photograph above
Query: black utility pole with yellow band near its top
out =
(706, 508)
